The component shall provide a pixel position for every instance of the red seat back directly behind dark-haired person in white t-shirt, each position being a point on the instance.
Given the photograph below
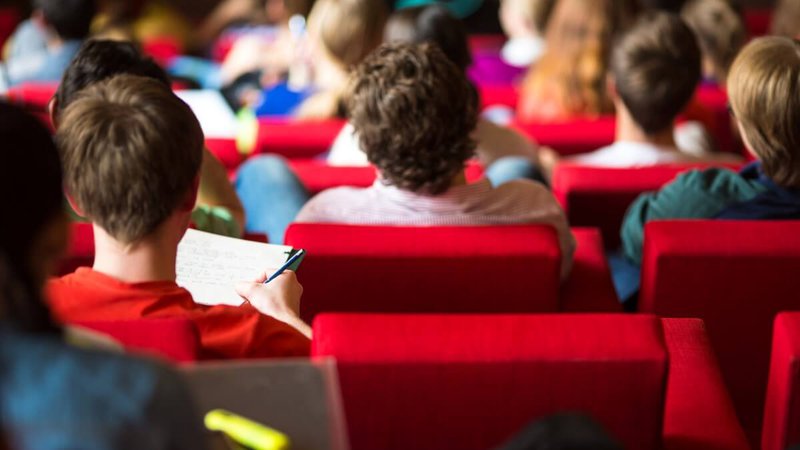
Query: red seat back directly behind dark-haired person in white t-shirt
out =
(599, 197)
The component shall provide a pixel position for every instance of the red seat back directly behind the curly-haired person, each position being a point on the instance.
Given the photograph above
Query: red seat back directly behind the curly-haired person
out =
(351, 268)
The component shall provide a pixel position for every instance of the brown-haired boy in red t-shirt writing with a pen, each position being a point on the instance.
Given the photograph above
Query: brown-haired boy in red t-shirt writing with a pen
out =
(132, 152)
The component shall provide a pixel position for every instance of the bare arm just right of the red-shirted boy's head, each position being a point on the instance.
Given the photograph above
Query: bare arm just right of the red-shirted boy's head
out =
(216, 190)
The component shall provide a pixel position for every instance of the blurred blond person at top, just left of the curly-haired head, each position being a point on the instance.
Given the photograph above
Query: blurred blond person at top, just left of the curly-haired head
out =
(341, 34)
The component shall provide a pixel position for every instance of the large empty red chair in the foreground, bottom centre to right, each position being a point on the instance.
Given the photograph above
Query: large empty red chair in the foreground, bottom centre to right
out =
(472, 381)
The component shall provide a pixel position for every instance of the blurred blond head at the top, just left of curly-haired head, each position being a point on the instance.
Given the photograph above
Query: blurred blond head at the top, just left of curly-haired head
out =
(348, 29)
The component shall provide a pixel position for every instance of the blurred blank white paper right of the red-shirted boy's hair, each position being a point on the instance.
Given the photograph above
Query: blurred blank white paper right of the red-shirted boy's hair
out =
(215, 116)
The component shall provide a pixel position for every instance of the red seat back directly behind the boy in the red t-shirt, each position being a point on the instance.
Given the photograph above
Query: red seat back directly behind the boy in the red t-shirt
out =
(174, 339)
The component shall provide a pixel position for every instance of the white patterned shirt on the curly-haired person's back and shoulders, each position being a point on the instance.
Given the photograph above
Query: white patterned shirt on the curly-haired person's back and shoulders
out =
(515, 202)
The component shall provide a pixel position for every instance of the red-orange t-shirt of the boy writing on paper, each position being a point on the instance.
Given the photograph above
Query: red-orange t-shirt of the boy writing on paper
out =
(226, 332)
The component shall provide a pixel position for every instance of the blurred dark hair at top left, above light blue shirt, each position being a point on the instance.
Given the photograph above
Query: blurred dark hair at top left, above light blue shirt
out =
(71, 19)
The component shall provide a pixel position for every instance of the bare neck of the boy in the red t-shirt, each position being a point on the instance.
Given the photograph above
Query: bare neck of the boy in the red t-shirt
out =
(152, 258)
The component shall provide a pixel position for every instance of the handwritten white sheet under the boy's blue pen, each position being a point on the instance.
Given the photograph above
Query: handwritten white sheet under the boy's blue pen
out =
(209, 265)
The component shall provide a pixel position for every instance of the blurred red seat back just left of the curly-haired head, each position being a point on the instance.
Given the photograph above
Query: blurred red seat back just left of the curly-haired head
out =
(295, 139)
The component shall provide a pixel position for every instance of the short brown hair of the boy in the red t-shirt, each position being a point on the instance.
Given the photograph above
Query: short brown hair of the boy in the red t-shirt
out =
(131, 152)
